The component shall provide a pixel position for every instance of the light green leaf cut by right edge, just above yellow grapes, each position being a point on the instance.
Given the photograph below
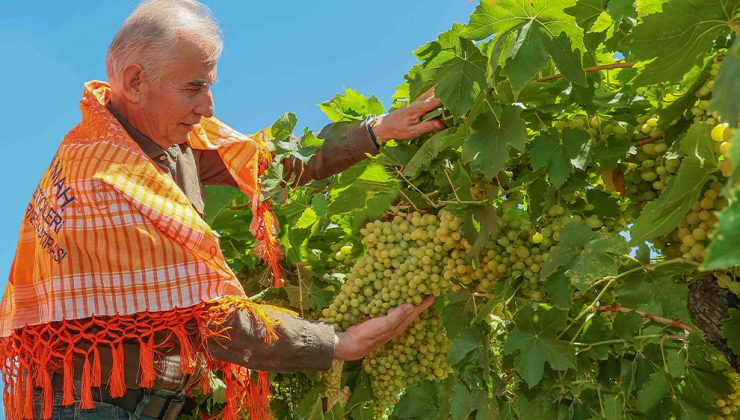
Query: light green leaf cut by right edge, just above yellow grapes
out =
(727, 86)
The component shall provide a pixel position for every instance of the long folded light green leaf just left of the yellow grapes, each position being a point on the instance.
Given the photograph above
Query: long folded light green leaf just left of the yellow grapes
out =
(661, 216)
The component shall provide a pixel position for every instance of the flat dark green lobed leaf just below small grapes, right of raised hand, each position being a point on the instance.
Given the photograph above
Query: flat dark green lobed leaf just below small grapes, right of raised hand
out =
(560, 157)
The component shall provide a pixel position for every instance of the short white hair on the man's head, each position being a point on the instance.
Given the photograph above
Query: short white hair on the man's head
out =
(150, 33)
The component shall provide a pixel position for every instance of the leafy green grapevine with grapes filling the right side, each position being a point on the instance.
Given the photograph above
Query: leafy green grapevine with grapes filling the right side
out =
(586, 169)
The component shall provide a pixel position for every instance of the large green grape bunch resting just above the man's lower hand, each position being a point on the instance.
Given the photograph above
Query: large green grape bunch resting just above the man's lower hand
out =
(403, 264)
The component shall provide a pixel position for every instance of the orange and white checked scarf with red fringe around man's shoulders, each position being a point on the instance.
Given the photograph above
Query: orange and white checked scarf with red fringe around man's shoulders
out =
(110, 249)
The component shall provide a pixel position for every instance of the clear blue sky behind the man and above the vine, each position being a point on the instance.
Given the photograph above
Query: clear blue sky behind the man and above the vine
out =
(279, 56)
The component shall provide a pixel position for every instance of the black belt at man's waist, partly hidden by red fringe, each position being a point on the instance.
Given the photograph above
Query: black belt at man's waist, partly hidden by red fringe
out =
(159, 407)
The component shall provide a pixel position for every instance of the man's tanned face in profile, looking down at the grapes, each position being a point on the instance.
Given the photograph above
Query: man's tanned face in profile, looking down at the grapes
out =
(172, 105)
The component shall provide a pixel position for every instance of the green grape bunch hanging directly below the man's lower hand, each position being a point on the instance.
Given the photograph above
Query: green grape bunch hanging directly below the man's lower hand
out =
(417, 355)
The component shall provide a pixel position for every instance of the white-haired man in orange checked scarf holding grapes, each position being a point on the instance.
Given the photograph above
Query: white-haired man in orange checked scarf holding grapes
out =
(119, 297)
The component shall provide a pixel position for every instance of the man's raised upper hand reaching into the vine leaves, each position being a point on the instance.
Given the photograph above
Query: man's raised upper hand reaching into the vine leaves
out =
(405, 123)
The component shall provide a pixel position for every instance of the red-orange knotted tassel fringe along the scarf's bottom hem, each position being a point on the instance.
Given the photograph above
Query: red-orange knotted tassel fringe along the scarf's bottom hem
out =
(30, 353)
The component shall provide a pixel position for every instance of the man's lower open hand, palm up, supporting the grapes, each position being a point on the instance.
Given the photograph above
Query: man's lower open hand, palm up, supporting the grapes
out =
(365, 337)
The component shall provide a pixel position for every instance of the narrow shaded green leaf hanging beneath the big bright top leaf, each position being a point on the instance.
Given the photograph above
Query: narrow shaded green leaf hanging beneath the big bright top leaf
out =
(528, 56)
